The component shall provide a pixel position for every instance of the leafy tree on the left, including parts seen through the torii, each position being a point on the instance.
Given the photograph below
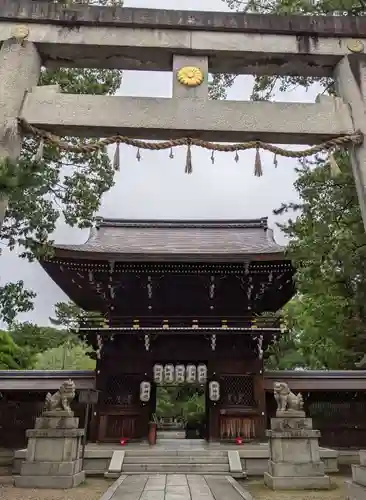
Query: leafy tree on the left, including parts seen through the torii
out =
(62, 184)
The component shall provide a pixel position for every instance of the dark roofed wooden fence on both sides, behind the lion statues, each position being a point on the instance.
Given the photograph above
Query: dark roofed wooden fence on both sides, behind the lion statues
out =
(335, 400)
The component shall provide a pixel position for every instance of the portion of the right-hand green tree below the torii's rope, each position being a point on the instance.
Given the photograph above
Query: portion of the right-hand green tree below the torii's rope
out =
(328, 247)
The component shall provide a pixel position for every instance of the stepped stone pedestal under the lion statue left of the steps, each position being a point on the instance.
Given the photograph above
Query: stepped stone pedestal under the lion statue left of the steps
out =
(53, 457)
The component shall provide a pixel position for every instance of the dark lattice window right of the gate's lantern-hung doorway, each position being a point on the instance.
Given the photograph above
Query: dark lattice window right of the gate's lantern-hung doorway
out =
(237, 390)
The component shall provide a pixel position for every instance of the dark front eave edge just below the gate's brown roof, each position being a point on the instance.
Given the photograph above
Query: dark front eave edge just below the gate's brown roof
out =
(72, 253)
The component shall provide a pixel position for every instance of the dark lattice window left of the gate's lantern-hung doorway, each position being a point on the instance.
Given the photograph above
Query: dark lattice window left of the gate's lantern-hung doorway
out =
(122, 390)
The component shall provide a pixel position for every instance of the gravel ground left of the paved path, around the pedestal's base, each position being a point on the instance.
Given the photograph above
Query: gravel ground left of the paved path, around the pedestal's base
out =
(92, 489)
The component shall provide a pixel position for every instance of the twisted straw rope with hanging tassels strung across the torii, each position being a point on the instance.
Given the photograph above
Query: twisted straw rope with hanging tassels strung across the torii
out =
(329, 146)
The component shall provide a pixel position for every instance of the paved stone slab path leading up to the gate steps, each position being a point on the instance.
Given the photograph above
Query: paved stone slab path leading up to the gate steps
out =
(175, 487)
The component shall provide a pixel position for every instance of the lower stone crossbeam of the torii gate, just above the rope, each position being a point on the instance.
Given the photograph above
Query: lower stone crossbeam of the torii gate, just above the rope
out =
(165, 118)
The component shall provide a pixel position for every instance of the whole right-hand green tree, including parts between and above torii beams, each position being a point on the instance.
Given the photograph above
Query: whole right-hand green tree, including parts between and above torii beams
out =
(325, 319)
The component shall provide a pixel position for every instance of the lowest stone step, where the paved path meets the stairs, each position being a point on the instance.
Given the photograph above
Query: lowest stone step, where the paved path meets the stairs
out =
(186, 468)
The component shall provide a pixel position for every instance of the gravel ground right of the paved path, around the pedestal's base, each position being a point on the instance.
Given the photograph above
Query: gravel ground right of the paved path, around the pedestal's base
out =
(260, 492)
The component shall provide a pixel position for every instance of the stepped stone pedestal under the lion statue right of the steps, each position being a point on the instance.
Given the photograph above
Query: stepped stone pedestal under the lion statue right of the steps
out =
(294, 454)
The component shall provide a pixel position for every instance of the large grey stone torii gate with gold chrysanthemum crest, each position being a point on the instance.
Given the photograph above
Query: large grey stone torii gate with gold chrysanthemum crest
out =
(35, 33)
